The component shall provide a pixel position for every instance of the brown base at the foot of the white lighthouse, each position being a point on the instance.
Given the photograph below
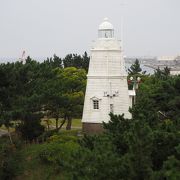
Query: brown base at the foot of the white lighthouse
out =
(92, 128)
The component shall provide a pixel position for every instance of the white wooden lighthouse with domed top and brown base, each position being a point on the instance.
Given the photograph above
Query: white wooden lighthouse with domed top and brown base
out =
(107, 89)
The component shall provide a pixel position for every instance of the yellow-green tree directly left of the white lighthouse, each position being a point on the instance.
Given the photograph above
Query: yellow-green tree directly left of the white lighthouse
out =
(73, 88)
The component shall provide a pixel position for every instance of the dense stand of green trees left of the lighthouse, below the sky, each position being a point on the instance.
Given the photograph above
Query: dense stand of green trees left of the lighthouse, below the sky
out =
(33, 90)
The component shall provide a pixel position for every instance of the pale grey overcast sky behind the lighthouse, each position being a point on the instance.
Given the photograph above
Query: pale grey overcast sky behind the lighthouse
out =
(45, 27)
